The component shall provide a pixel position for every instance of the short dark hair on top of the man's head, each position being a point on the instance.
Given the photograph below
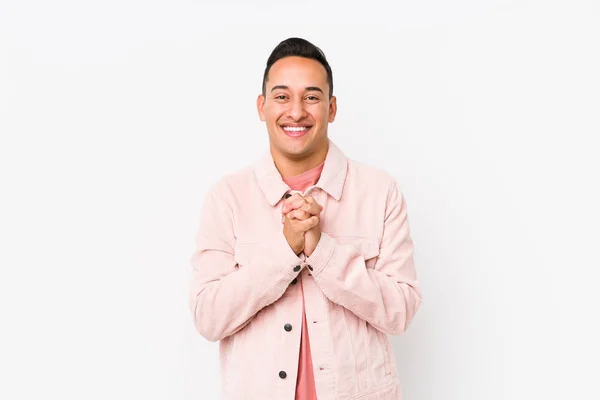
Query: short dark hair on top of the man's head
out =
(300, 48)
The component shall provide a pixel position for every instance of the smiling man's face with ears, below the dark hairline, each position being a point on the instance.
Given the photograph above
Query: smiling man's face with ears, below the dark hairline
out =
(296, 107)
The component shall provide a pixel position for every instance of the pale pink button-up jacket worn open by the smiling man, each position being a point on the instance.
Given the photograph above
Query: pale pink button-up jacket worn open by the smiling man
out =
(359, 284)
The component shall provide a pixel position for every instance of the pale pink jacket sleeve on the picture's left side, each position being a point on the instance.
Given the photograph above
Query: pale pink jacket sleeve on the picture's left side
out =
(223, 296)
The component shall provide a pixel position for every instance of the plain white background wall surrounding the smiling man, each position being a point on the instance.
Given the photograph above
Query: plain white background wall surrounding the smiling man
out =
(116, 116)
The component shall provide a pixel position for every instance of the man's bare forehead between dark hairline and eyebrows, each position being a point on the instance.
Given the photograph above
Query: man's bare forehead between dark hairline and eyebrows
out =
(297, 72)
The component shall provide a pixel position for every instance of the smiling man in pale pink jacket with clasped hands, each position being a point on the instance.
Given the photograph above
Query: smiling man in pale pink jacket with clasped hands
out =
(304, 261)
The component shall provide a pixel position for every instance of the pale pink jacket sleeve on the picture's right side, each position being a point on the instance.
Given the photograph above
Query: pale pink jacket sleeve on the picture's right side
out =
(386, 296)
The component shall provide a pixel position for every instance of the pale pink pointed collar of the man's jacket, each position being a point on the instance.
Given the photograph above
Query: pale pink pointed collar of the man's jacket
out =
(331, 181)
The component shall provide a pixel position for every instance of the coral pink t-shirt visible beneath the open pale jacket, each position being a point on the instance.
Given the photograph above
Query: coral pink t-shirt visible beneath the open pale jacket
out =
(305, 385)
